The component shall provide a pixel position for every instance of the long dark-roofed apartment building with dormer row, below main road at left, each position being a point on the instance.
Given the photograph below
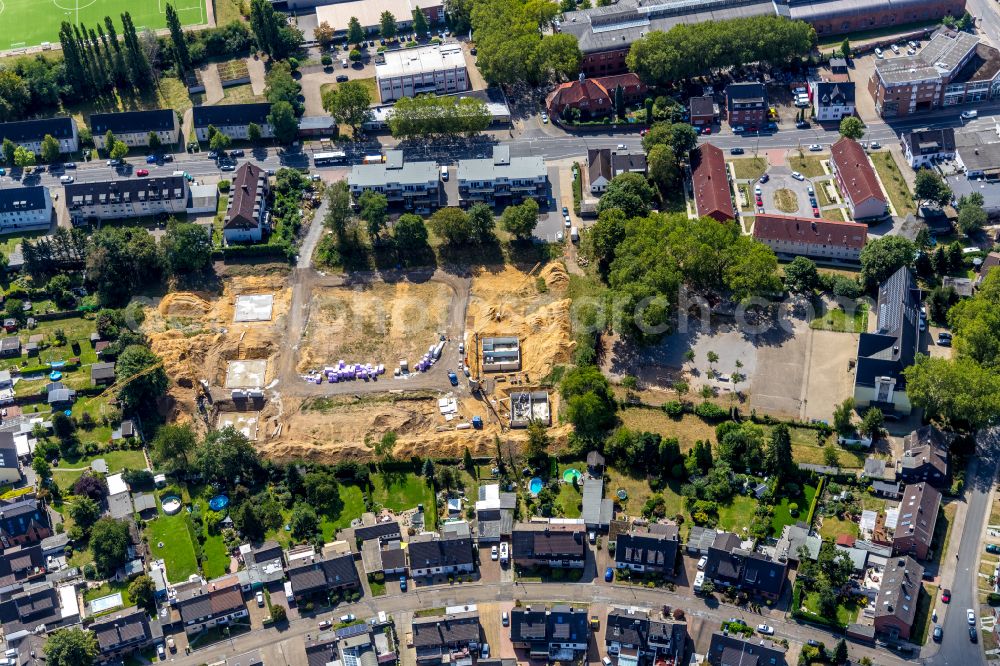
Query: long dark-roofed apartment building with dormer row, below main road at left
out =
(135, 197)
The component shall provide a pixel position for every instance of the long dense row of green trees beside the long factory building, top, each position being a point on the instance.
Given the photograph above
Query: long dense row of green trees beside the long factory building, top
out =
(689, 50)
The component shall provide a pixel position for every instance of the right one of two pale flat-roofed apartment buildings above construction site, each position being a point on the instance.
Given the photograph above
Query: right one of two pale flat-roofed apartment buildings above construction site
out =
(502, 180)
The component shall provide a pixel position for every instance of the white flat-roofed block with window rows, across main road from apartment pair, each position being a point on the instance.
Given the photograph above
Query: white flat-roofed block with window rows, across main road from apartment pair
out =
(436, 69)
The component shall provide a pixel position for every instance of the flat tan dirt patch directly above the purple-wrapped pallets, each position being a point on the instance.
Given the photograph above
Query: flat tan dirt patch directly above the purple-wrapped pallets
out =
(377, 323)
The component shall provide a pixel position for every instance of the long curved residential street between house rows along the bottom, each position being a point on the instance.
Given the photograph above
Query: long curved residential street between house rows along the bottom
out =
(461, 594)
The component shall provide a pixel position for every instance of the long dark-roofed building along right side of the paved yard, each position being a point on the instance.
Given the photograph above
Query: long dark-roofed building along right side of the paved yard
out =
(893, 346)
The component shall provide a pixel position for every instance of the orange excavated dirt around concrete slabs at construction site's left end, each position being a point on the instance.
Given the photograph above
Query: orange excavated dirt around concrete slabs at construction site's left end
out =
(196, 336)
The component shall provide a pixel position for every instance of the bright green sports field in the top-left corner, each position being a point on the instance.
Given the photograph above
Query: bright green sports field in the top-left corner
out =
(25, 23)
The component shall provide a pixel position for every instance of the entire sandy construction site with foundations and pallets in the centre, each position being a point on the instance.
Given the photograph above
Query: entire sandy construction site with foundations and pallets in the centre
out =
(262, 365)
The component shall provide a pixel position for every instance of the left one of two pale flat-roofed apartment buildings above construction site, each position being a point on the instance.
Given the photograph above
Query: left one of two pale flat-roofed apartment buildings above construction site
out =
(411, 185)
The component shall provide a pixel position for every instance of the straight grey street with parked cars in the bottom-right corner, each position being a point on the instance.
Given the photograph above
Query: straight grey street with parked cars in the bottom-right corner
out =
(956, 649)
